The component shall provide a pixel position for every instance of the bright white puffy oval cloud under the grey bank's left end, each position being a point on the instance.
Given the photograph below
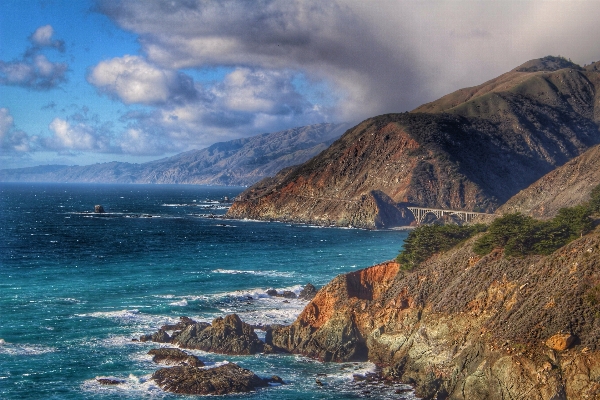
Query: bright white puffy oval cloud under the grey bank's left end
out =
(133, 80)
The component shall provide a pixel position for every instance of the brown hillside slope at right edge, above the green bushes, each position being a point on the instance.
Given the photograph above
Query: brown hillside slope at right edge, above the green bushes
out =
(565, 186)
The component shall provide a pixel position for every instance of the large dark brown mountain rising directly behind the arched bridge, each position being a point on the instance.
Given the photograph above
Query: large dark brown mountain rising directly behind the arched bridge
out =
(470, 150)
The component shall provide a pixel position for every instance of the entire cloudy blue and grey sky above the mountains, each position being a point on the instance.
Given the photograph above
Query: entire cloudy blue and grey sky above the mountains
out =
(86, 81)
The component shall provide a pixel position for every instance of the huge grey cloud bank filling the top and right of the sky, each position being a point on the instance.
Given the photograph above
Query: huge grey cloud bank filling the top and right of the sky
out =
(384, 56)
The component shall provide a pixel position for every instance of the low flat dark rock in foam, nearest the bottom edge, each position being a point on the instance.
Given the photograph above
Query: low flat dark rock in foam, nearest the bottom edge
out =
(228, 378)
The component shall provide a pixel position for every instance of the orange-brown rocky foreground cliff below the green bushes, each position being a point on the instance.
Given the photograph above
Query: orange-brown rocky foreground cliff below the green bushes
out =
(466, 327)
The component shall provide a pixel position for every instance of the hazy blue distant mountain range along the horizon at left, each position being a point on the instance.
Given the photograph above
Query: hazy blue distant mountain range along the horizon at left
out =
(238, 162)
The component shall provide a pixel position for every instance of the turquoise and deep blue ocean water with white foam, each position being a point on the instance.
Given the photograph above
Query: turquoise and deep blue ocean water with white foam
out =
(76, 287)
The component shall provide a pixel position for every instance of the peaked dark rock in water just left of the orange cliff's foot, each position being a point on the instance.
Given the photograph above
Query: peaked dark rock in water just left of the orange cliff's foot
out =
(229, 335)
